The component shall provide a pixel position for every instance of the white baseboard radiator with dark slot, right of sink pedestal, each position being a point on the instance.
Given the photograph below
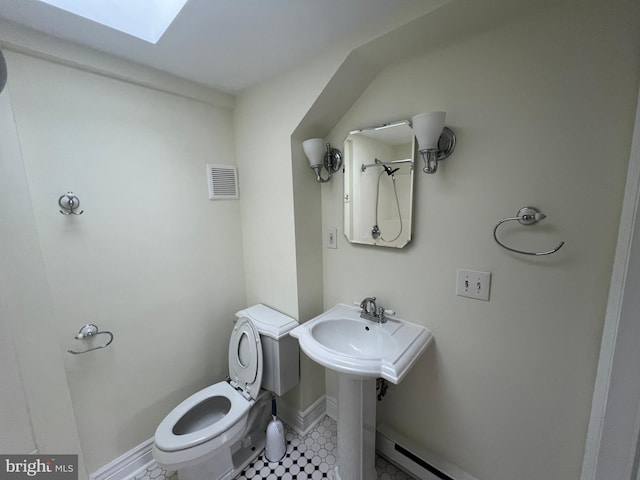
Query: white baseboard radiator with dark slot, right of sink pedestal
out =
(413, 460)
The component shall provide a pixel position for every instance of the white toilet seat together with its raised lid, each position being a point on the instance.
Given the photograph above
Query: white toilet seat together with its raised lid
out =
(222, 405)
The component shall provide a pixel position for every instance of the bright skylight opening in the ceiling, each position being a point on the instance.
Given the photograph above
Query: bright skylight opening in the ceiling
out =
(145, 19)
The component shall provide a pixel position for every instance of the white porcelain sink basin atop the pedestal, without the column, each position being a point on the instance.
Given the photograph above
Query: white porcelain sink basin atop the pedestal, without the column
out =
(341, 340)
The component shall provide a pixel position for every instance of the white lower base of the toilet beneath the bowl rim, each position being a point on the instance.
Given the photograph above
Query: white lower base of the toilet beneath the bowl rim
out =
(228, 462)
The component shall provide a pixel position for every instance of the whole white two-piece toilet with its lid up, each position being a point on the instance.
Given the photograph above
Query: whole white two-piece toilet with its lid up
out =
(216, 432)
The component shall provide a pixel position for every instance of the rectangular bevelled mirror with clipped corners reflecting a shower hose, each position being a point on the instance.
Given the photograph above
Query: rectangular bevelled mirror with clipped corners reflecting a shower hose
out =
(378, 185)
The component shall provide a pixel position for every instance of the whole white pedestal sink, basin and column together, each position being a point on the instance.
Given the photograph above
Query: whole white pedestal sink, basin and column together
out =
(360, 351)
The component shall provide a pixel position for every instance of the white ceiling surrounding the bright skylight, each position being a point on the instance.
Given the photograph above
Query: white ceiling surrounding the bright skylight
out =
(229, 45)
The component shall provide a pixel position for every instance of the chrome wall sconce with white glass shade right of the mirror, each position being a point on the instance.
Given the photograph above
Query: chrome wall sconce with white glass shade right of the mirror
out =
(435, 141)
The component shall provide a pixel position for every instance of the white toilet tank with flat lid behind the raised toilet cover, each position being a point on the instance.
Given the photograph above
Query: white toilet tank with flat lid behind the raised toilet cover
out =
(280, 351)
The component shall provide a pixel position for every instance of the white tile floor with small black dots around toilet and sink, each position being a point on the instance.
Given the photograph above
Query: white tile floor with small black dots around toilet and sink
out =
(312, 457)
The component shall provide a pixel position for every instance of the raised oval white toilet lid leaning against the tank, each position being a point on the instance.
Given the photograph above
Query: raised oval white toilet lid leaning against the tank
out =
(245, 358)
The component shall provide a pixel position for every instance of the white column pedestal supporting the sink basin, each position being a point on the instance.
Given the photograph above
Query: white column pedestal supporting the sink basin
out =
(356, 428)
